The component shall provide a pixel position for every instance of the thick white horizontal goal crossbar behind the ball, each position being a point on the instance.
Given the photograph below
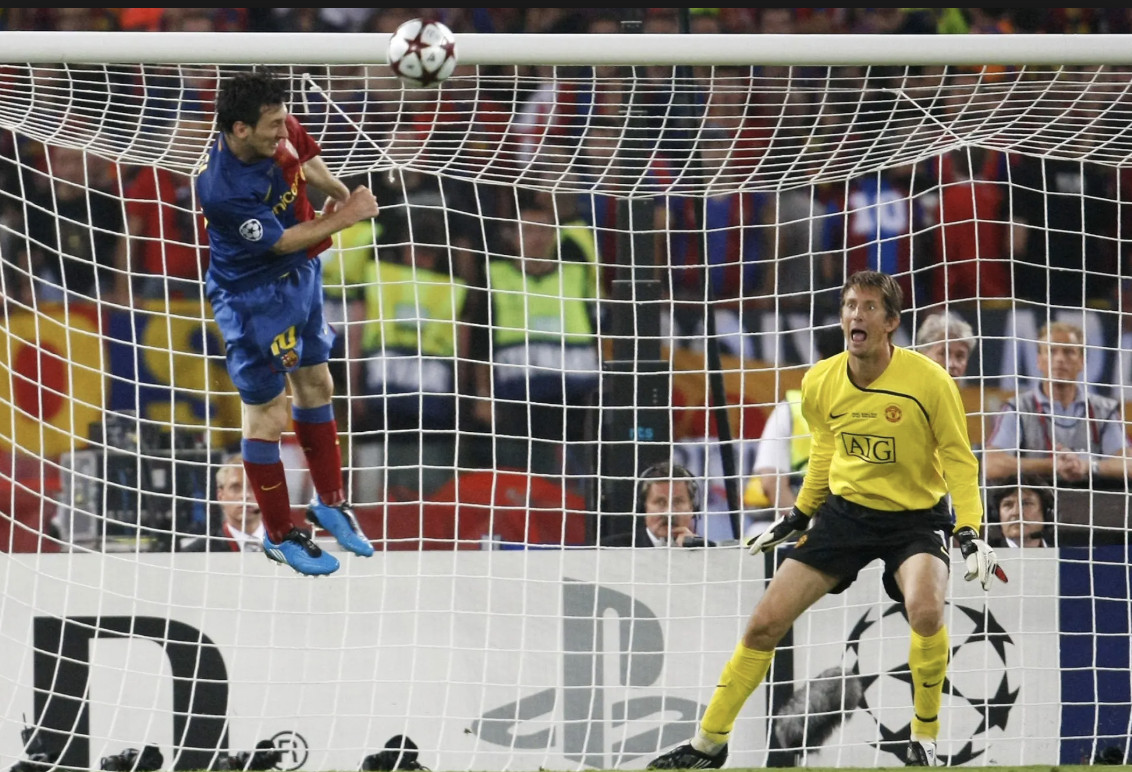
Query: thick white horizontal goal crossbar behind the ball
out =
(620, 49)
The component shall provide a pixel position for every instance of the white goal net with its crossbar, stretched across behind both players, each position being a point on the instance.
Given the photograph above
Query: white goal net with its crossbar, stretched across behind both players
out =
(591, 256)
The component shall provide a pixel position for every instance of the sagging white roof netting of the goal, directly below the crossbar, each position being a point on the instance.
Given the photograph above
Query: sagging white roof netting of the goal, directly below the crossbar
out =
(573, 130)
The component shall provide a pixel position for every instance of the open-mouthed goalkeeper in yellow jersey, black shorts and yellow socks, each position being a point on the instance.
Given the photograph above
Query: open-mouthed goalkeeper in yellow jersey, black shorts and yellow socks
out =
(889, 443)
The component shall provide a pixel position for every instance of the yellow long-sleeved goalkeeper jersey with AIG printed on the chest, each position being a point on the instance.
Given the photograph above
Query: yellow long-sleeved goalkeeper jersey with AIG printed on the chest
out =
(901, 444)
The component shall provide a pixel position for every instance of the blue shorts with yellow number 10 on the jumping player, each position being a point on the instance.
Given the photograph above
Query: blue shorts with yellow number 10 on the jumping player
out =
(273, 330)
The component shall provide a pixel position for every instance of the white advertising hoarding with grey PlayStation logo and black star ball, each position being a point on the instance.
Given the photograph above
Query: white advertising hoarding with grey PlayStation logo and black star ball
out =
(493, 661)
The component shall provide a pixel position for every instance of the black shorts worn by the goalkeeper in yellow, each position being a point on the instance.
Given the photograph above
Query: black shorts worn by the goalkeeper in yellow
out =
(846, 537)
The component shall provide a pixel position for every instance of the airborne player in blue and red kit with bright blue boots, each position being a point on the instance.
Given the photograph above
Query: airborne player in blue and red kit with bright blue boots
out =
(265, 287)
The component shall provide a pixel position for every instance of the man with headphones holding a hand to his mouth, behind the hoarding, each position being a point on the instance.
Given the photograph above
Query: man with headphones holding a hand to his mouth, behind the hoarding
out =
(666, 505)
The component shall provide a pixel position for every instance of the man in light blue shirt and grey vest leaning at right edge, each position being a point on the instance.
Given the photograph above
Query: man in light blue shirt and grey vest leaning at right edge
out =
(1059, 431)
